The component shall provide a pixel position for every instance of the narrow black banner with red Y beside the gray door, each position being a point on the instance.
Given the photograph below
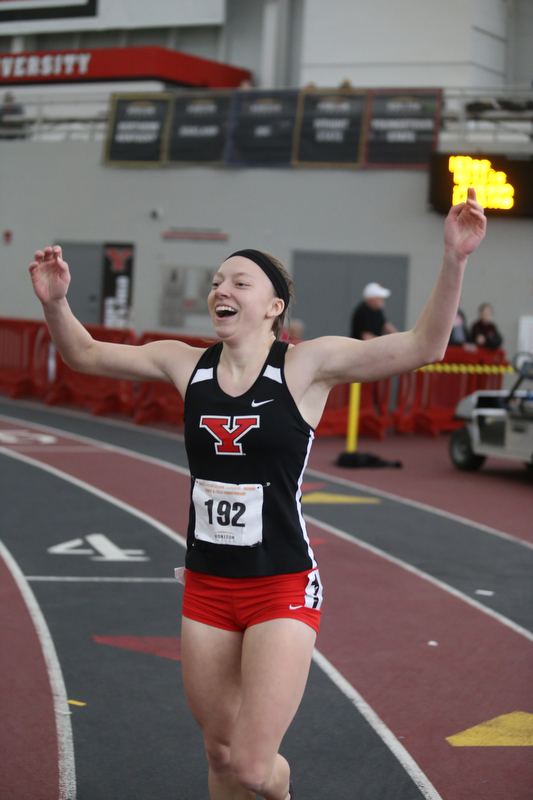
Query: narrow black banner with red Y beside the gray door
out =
(117, 285)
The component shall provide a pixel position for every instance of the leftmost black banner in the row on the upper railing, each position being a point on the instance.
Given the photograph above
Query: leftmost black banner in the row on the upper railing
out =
(137, 129)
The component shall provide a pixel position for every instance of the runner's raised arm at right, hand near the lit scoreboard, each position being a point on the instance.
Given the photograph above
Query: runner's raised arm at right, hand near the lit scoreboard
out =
(334, 359)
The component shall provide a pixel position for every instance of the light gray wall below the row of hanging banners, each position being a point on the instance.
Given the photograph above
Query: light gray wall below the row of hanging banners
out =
(60, 191)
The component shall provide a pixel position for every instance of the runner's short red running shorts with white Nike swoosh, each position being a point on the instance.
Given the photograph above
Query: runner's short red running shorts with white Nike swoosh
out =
(236, 603)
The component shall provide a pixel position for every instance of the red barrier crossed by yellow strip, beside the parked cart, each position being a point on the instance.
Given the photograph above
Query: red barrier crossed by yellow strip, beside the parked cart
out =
(427, 400)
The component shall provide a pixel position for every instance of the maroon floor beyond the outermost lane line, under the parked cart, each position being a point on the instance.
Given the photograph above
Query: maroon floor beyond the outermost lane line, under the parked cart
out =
(500, 495)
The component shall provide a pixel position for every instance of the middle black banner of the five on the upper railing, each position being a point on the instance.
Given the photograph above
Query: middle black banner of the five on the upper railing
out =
(262, 128)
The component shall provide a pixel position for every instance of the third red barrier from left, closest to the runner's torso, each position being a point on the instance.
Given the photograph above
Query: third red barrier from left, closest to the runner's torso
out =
(162, 401)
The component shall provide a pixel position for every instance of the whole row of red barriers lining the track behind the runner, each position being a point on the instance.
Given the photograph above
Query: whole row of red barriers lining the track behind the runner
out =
(425, 400)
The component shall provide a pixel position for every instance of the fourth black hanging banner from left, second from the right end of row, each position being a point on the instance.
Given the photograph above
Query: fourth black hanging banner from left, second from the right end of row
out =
(329, 128)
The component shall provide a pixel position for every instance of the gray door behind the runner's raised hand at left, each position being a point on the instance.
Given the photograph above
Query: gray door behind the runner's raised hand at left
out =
(85, 261)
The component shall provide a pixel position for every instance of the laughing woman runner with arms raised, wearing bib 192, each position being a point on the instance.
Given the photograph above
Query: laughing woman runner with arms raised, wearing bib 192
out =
(252, 588)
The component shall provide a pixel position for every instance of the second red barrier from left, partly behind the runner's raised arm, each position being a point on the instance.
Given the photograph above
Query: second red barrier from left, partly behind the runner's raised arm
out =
(101, 395)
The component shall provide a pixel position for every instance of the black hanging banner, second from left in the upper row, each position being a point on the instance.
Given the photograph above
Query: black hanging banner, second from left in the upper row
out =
(199, 127)
